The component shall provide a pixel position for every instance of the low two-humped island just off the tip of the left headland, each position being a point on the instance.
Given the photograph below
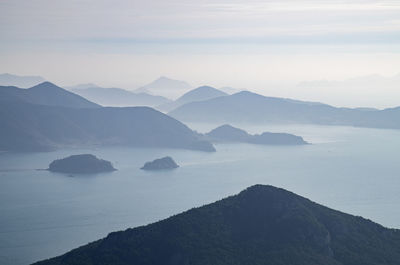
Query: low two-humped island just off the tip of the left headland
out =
(228, 133)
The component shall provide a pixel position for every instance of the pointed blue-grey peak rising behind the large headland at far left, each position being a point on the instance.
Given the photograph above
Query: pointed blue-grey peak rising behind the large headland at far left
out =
(47, 94)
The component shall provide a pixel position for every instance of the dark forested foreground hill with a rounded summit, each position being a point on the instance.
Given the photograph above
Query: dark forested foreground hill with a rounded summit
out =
(261, 225)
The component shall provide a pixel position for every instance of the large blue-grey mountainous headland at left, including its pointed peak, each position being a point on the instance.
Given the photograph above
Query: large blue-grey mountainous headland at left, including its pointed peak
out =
(37, 127)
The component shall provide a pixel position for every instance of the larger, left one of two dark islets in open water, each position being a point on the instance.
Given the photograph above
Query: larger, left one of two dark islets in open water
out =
(81, 164)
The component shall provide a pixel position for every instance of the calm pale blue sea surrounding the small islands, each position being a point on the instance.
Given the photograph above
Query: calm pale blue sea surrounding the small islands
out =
(44, 214)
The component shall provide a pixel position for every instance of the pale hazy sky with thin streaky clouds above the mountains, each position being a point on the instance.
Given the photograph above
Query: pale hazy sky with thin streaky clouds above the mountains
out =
(266, 46)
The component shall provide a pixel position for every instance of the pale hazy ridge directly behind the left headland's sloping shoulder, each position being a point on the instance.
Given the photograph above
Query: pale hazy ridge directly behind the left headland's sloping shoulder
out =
(119, 97)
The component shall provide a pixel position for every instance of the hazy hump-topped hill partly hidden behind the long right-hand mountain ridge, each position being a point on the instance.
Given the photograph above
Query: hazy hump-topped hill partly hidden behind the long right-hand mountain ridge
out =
(197, 94)
